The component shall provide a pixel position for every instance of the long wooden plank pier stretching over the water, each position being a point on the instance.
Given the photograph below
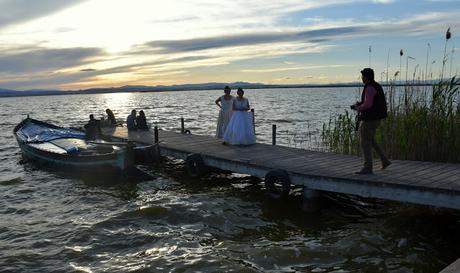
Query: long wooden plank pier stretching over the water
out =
(428, 183)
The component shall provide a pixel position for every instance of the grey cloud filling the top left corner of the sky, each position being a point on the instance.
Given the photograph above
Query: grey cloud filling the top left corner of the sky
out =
(17, 11)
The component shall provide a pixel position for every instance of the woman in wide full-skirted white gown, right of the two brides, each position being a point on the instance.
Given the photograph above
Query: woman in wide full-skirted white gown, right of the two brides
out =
(240, 129)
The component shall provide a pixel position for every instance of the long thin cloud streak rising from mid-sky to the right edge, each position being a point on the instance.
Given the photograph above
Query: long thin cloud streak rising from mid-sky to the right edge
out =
(420, 24)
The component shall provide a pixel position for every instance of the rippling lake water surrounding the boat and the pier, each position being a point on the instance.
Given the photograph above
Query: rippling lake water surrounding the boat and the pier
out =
(223, 222)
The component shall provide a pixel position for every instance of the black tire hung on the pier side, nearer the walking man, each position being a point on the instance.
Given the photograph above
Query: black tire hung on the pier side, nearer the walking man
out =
(278, 184)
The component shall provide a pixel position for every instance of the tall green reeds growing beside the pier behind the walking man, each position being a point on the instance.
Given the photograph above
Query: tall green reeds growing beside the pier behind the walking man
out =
(422, 123)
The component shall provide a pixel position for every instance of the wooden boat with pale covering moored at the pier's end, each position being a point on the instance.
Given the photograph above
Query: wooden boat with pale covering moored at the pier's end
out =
(61, 147)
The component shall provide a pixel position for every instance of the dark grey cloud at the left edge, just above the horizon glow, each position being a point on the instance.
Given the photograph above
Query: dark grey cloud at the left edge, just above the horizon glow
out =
(29, 60)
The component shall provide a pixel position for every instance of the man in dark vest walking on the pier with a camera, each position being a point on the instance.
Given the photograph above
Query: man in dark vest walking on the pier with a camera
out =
(372, 109)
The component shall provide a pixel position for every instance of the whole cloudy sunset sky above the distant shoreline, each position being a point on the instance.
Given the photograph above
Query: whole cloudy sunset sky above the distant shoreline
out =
(80, 44)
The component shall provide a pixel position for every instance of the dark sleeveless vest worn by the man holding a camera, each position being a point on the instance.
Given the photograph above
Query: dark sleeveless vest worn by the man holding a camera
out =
(378, 109)
